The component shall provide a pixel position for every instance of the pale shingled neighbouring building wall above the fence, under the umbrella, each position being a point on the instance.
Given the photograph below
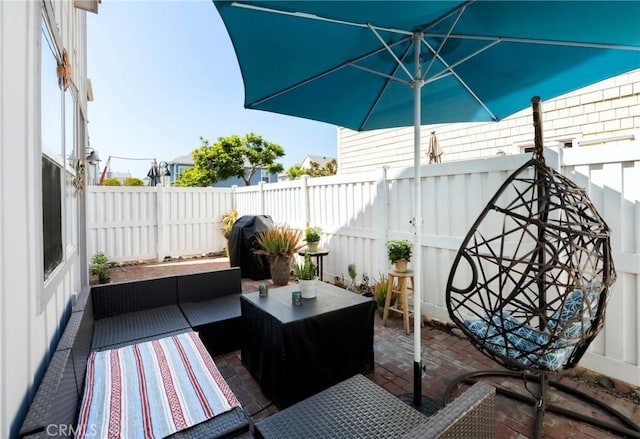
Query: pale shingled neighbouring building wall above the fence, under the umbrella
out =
(608, 110)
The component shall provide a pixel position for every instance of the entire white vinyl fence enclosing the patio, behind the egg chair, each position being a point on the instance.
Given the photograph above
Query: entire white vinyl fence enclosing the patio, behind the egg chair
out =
(359, 212)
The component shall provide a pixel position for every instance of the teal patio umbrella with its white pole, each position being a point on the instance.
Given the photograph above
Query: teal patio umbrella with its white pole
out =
(382, 64)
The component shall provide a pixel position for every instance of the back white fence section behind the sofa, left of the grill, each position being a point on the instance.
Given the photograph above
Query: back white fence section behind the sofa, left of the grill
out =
(138, 223)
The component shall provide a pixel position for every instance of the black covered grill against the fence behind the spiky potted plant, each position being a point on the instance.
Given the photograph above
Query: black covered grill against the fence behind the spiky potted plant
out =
(242, 243)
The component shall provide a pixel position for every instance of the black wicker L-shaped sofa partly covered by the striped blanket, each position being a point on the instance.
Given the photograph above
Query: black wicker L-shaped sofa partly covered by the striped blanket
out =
(120, 314)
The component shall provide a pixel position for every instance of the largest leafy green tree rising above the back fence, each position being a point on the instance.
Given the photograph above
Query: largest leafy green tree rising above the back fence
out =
(231, 156)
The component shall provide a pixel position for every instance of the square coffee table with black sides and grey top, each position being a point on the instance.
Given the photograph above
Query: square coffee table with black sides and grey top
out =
(296, 351)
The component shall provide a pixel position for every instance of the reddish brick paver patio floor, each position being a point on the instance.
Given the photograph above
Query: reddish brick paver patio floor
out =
(444, 355)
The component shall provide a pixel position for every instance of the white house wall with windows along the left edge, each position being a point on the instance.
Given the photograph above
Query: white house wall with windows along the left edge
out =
(30, 308)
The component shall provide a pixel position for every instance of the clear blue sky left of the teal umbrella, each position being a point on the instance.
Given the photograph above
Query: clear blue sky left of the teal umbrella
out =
(164, 74)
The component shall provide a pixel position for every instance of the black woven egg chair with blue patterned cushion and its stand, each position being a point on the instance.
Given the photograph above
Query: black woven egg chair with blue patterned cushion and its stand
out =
(530, 282)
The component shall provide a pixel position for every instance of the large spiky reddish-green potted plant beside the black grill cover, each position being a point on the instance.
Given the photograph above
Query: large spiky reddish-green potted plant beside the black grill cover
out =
(279, 244)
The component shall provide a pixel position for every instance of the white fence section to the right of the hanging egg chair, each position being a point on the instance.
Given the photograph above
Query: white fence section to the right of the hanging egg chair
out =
(612, 179)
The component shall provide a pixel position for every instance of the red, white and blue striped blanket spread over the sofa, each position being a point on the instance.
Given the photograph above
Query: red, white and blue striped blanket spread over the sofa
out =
(152, 389)
